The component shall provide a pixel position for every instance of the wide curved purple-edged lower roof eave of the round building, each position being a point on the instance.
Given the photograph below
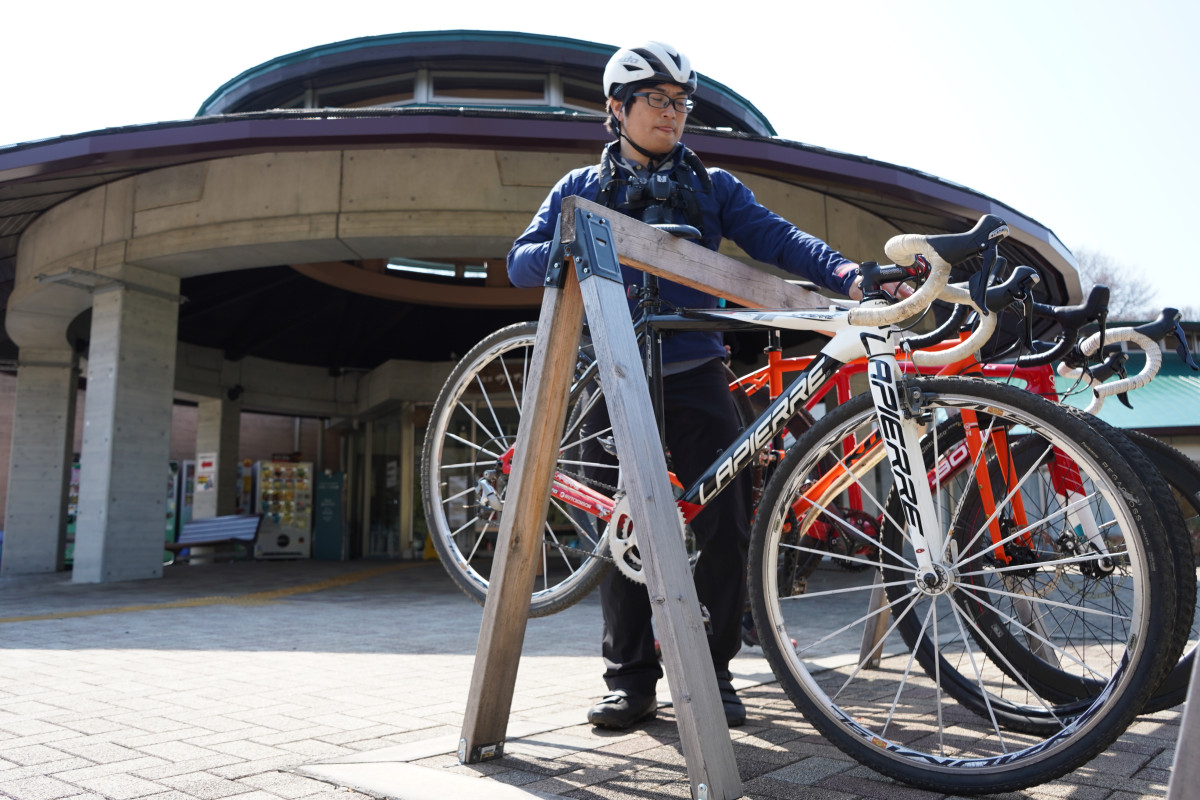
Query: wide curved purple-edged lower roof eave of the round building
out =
(39, 177)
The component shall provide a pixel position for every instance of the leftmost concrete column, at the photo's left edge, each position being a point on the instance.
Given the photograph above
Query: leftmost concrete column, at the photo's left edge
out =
(40, 466)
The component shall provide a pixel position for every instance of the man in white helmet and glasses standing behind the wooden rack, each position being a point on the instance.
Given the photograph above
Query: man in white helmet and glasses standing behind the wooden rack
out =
(649, 175)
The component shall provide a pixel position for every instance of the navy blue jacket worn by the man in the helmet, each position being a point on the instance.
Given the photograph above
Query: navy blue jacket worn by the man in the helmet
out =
(729, 210)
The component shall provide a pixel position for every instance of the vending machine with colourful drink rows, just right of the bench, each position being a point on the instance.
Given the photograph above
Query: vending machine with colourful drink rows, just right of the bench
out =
(285, 500)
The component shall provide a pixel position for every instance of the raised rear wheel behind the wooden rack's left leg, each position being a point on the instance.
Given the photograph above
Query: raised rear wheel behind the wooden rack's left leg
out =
(470, 429)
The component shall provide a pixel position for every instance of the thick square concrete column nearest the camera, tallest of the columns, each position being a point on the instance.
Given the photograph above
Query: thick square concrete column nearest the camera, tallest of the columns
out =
(127, 443)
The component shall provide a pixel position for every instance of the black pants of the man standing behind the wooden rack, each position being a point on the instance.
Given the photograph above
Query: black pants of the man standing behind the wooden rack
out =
(701, 422)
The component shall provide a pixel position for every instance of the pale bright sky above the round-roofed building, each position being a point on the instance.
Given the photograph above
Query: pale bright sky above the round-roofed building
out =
(1079, 115)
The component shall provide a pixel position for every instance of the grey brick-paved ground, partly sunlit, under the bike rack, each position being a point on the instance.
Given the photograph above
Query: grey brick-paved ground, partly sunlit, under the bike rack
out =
(311, 681)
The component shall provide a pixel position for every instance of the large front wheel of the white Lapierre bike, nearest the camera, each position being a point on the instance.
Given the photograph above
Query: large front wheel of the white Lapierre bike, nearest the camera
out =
(927, 741)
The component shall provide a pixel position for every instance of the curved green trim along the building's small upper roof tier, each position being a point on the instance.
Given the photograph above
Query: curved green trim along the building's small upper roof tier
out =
(520, 40)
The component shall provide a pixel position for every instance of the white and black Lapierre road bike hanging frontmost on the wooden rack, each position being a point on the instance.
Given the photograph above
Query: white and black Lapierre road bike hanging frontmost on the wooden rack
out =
(895, 718)
